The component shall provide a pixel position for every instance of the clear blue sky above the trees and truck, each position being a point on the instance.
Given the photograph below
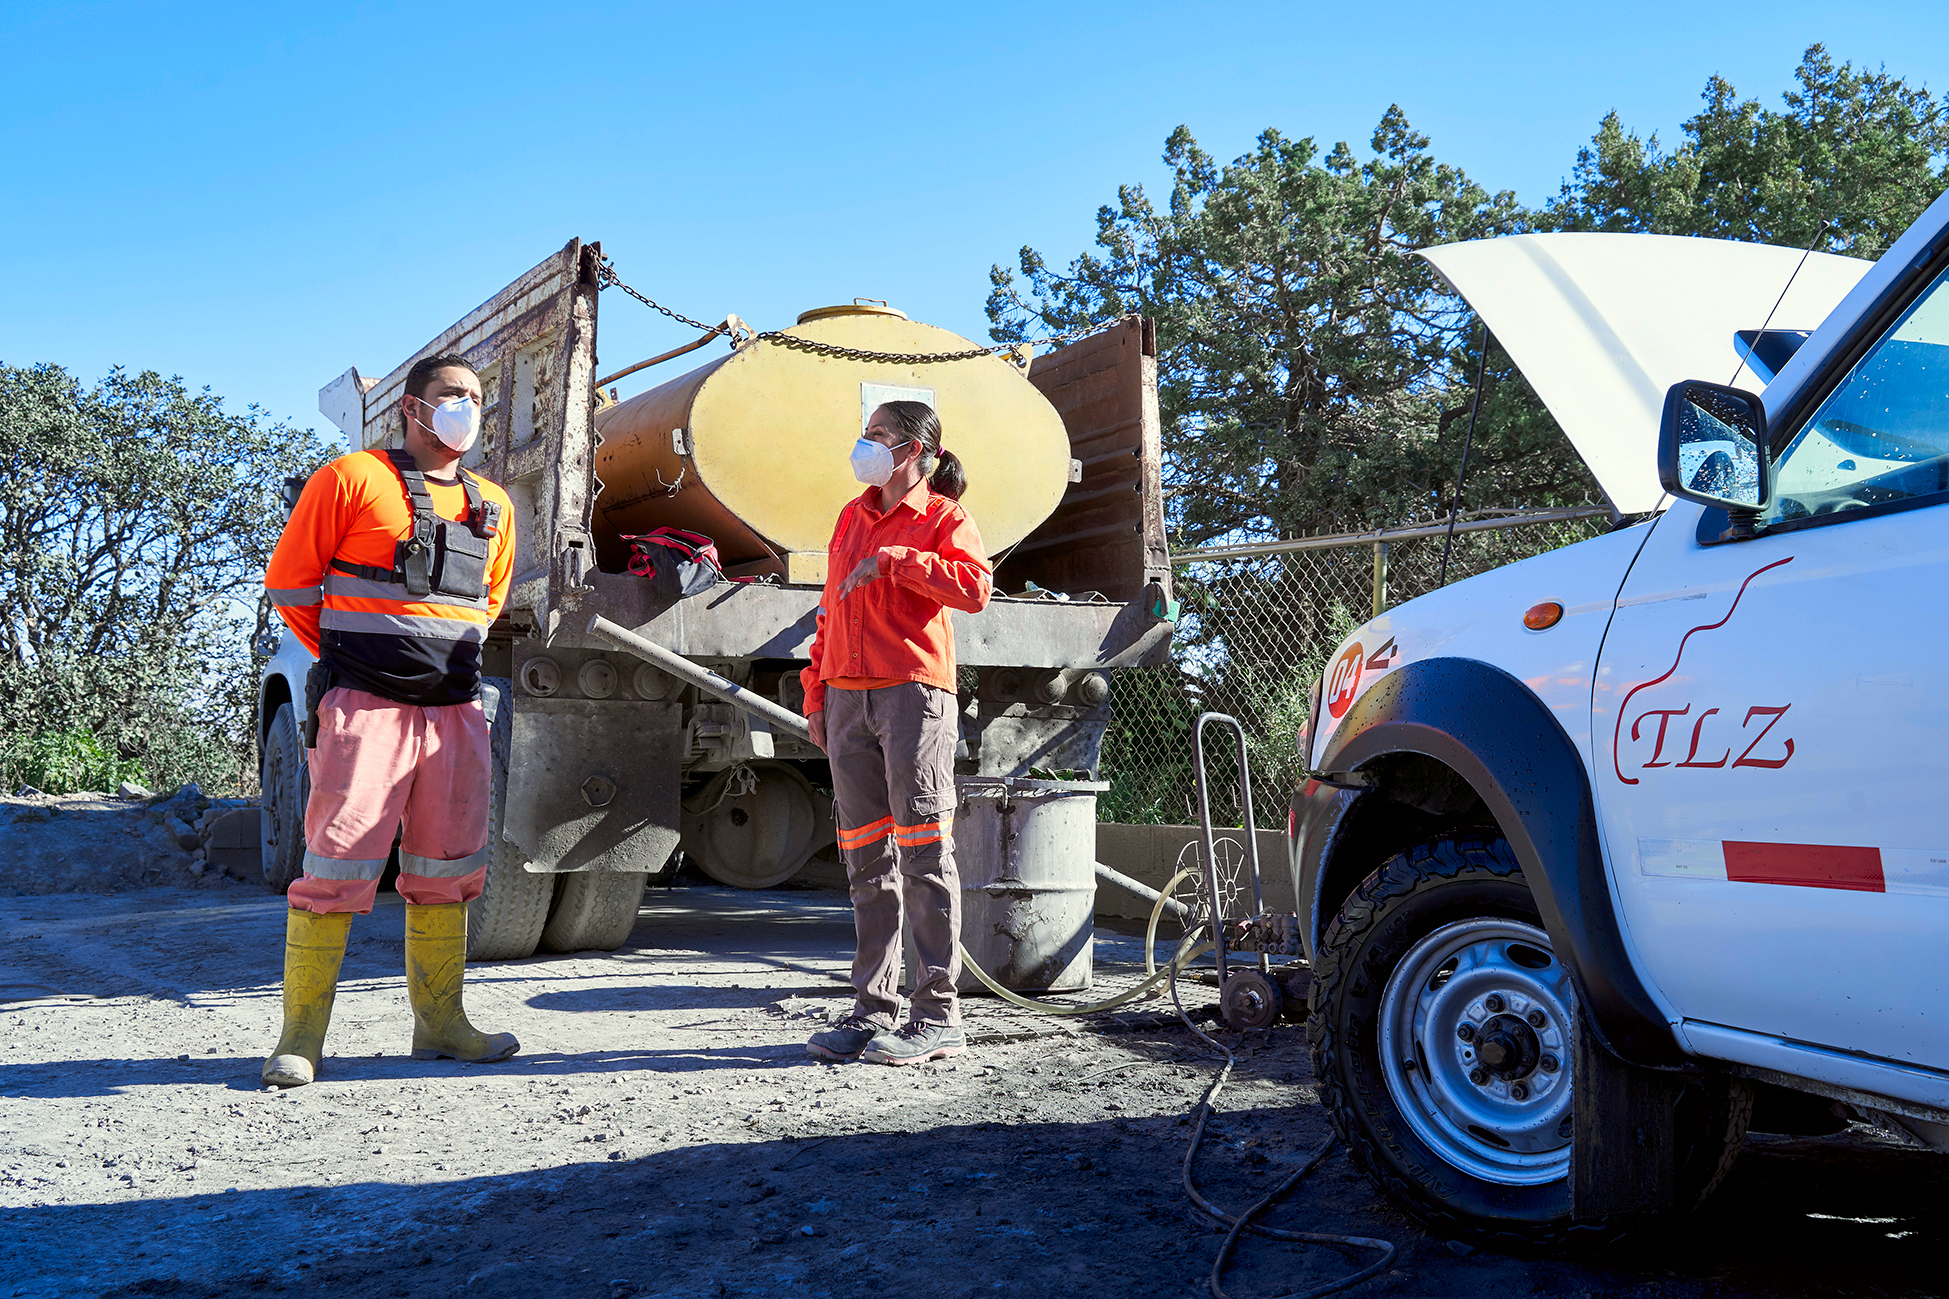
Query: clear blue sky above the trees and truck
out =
(256, 198)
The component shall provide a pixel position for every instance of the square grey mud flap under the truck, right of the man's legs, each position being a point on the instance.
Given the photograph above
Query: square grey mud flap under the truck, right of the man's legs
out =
(593, 785)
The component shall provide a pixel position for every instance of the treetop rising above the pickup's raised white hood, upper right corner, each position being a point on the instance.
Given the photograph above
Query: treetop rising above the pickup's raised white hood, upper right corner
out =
(1854, 147)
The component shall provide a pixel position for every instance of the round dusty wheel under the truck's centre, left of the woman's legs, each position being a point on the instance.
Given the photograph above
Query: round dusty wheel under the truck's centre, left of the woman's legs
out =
(759, 838)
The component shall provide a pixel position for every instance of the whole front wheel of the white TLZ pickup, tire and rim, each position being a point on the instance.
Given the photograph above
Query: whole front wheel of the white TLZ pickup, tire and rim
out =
(1443, 1033)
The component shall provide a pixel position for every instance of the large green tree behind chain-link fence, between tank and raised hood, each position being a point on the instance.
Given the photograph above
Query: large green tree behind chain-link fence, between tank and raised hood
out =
(1315, 374)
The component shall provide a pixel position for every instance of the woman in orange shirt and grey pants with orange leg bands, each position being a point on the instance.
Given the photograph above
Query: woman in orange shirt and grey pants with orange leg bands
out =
(882, 701)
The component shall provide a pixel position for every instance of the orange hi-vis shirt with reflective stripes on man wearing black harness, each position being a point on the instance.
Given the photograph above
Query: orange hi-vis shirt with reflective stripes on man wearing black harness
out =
(377, 637)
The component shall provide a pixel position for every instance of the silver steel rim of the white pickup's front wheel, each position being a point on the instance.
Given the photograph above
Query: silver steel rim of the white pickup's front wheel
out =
(1515, 1124)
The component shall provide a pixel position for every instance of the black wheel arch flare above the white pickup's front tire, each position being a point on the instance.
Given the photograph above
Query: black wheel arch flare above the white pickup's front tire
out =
(1449, 744)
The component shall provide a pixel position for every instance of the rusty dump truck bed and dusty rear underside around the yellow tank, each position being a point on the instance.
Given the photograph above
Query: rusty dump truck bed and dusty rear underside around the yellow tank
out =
(613, 764)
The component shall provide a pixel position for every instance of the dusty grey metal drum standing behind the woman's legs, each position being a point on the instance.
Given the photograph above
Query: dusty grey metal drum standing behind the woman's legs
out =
(1026, 851)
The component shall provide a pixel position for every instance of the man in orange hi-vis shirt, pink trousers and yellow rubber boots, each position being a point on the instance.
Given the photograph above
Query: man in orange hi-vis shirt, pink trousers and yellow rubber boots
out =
(391, 571)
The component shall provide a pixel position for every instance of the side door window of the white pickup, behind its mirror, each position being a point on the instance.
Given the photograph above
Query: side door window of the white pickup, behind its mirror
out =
(1884, 436)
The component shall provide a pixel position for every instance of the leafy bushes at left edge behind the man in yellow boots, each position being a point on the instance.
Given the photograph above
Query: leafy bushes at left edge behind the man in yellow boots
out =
(135, 522)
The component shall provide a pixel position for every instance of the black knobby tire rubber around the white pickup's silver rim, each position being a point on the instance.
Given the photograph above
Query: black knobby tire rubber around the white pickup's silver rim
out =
(1422, 890)
